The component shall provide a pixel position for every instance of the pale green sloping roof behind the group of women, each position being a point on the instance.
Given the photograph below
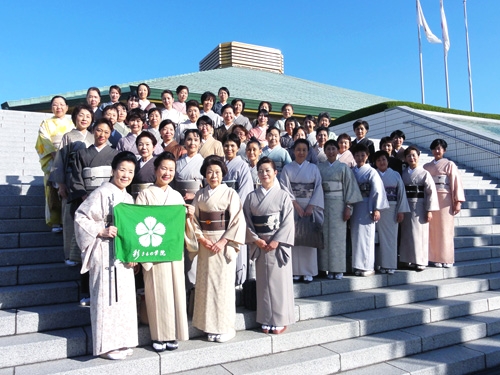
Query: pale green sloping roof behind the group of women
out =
(307, 97)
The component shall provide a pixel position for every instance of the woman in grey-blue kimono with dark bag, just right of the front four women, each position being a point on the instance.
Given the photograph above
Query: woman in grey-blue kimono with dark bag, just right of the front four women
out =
(302, 181)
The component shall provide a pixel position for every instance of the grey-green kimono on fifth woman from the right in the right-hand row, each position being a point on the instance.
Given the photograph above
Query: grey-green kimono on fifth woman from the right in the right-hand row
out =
(340, 188)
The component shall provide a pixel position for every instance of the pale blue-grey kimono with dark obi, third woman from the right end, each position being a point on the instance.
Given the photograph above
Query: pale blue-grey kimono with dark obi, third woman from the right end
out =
(387, 226)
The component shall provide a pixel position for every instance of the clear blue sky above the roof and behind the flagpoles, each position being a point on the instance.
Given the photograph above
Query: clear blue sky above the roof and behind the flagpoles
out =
(366, 45)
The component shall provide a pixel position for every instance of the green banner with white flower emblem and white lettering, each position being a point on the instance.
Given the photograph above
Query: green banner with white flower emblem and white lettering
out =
(149, 233)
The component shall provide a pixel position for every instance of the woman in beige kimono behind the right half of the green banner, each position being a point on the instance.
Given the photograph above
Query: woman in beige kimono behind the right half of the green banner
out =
(164, 281)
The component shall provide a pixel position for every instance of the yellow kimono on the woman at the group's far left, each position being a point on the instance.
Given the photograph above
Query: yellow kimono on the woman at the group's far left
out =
(50, 135)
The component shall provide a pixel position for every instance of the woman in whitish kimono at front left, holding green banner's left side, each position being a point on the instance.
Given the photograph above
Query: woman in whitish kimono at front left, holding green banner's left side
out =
(113, 310)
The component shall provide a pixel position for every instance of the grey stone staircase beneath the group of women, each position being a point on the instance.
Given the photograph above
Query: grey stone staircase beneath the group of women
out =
(437, 321)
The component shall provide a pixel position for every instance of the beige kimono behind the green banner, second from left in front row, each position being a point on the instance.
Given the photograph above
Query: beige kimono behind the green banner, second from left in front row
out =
(164, 282)
